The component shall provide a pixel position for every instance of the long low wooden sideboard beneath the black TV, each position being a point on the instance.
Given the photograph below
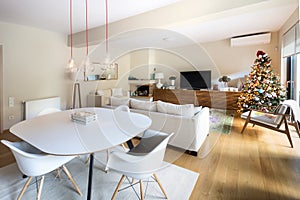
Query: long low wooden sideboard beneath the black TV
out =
(208, 98)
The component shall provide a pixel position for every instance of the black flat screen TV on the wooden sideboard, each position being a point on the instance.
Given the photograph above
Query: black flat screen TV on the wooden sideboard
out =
(195, 80)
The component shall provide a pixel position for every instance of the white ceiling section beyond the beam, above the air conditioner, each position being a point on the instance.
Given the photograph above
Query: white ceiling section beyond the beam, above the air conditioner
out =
(242, 21)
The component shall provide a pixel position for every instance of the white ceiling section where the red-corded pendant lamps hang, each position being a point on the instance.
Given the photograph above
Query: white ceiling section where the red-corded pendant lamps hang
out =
(54, 14)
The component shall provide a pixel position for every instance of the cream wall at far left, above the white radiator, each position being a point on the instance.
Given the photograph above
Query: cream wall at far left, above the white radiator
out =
(34, 61)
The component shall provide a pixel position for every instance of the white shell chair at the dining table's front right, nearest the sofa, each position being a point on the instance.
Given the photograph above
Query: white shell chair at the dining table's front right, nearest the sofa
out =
(141, 162)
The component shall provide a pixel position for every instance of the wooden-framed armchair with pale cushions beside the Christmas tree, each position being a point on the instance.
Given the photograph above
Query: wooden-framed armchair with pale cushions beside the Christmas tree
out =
(271, 121)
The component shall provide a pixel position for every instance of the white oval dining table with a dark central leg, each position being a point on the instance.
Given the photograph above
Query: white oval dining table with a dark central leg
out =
(57, 134)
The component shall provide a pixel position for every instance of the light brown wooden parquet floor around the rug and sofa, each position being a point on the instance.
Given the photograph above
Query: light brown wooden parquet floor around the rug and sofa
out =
(260, 164)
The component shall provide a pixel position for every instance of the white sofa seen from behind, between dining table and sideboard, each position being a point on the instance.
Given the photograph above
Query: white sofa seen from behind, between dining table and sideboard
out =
(189, 124)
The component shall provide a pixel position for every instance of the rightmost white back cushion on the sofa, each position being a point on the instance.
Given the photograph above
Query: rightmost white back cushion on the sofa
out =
(186, 110)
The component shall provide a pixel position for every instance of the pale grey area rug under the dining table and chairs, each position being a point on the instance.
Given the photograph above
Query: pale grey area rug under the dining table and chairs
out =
(178, 183)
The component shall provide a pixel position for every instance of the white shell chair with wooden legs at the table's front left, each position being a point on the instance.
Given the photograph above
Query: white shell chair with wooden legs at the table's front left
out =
(33, 163)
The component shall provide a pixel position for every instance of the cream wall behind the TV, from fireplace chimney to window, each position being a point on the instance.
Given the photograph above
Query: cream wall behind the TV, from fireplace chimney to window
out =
(233, 61)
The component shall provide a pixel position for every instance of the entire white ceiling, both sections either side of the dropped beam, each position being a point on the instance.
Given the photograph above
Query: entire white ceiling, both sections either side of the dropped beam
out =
(53, 15)
